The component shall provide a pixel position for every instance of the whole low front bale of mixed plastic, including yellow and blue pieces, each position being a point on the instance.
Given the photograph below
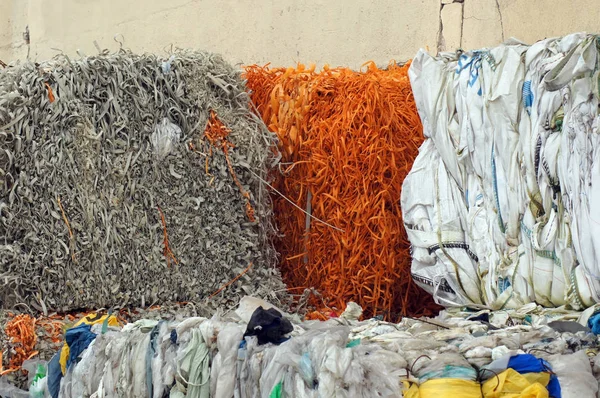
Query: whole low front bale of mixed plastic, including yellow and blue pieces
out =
(260, 351)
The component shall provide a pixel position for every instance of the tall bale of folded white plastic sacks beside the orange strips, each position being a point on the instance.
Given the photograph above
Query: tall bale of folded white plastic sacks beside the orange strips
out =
(499, 205)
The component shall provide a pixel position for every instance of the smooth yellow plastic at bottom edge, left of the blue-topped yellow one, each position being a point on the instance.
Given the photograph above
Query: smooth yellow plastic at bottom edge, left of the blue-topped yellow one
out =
(445, 388)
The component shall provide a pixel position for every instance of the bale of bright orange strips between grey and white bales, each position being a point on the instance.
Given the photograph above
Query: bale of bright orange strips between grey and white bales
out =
(348, 139)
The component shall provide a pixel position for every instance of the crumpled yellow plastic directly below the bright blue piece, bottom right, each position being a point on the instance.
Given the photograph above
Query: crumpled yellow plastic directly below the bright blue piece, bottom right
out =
(512, 384)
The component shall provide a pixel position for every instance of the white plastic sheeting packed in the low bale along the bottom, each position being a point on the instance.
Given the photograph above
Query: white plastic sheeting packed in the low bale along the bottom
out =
(199, 357)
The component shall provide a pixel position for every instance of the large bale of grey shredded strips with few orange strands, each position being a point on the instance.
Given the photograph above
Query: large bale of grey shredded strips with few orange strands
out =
(129, 180)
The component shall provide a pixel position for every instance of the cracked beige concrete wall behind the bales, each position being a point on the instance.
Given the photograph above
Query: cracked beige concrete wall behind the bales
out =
(338, 32)
